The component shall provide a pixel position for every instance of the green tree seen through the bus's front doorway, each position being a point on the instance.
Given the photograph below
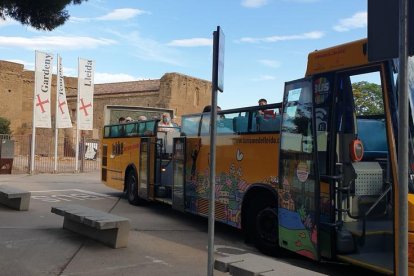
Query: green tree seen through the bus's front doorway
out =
(368, 98)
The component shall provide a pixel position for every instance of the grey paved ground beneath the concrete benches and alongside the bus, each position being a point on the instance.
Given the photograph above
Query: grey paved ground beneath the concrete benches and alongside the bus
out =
(161, 241)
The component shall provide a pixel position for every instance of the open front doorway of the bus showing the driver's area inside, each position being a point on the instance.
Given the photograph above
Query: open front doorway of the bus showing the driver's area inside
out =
(365, 154)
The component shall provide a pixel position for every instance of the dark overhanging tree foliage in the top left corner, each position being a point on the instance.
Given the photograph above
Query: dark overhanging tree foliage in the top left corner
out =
(40, 14)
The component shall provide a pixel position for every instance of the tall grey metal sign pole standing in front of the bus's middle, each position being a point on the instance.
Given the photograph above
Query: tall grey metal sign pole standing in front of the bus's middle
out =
(213, 130)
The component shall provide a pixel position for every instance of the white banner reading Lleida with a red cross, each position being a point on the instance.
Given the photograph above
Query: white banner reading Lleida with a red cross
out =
(85, 94)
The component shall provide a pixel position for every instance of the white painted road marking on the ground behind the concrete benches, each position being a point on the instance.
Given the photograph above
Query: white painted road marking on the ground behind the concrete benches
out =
(68, 195)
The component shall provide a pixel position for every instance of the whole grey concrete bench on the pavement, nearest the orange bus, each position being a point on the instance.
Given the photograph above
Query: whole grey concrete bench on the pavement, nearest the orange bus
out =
(107, 228)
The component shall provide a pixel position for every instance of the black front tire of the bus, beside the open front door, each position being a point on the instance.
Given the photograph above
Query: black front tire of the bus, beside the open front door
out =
(264, 228)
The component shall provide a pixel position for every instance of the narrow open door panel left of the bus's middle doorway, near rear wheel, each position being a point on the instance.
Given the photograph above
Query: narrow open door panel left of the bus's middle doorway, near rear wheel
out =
(146, 168)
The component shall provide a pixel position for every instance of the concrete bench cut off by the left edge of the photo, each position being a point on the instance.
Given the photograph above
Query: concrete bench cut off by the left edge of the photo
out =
(14, 198)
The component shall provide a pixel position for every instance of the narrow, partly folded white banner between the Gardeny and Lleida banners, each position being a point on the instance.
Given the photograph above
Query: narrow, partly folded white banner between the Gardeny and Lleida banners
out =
(62, 110)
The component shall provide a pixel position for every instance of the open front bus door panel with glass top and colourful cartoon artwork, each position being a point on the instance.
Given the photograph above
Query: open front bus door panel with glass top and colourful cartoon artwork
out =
(298, 179)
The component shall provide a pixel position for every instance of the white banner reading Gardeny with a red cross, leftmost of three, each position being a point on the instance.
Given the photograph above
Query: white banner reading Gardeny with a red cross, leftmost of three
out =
(43, 85)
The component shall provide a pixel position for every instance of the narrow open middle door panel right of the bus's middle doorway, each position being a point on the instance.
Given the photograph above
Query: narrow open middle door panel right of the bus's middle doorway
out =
(179, 173)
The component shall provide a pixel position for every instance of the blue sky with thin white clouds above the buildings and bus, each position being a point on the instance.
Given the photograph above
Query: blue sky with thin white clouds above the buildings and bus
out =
(266, 41)
